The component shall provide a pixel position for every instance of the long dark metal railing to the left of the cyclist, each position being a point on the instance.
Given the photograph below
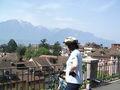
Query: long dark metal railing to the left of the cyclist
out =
(30, 78)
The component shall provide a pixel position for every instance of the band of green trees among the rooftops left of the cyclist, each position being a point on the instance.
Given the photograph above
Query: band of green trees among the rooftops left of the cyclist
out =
(29, 52)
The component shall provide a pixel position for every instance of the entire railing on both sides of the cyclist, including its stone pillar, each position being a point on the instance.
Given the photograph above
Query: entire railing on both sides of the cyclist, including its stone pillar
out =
(45, 77)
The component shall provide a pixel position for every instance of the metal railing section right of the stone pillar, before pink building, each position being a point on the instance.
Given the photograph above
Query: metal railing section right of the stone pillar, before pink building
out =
(108, 70)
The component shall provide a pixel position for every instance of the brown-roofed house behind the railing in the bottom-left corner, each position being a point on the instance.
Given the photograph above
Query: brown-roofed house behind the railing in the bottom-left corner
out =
(12, 78)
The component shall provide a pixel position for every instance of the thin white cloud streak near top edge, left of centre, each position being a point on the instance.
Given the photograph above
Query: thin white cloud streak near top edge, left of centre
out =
(50, 6)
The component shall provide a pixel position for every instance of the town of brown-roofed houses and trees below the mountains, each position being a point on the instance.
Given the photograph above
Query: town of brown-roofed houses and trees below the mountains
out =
(36, 66)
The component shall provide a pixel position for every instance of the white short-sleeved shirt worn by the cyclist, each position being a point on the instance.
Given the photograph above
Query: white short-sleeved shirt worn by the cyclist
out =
(75, 57)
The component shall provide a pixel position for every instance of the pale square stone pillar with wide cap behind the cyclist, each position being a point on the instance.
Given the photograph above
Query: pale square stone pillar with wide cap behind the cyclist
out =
(91, 69)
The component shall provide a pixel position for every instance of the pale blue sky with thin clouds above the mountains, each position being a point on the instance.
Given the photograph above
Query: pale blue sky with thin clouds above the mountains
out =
(100, 17)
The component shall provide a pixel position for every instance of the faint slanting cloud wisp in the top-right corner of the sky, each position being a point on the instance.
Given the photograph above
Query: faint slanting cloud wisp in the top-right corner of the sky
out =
(105, 7)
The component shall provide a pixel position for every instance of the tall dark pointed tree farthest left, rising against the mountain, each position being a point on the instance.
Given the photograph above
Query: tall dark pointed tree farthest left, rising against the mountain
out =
(12, 46)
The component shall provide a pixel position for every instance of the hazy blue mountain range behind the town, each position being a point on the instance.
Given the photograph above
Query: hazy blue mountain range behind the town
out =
(25, 33)
